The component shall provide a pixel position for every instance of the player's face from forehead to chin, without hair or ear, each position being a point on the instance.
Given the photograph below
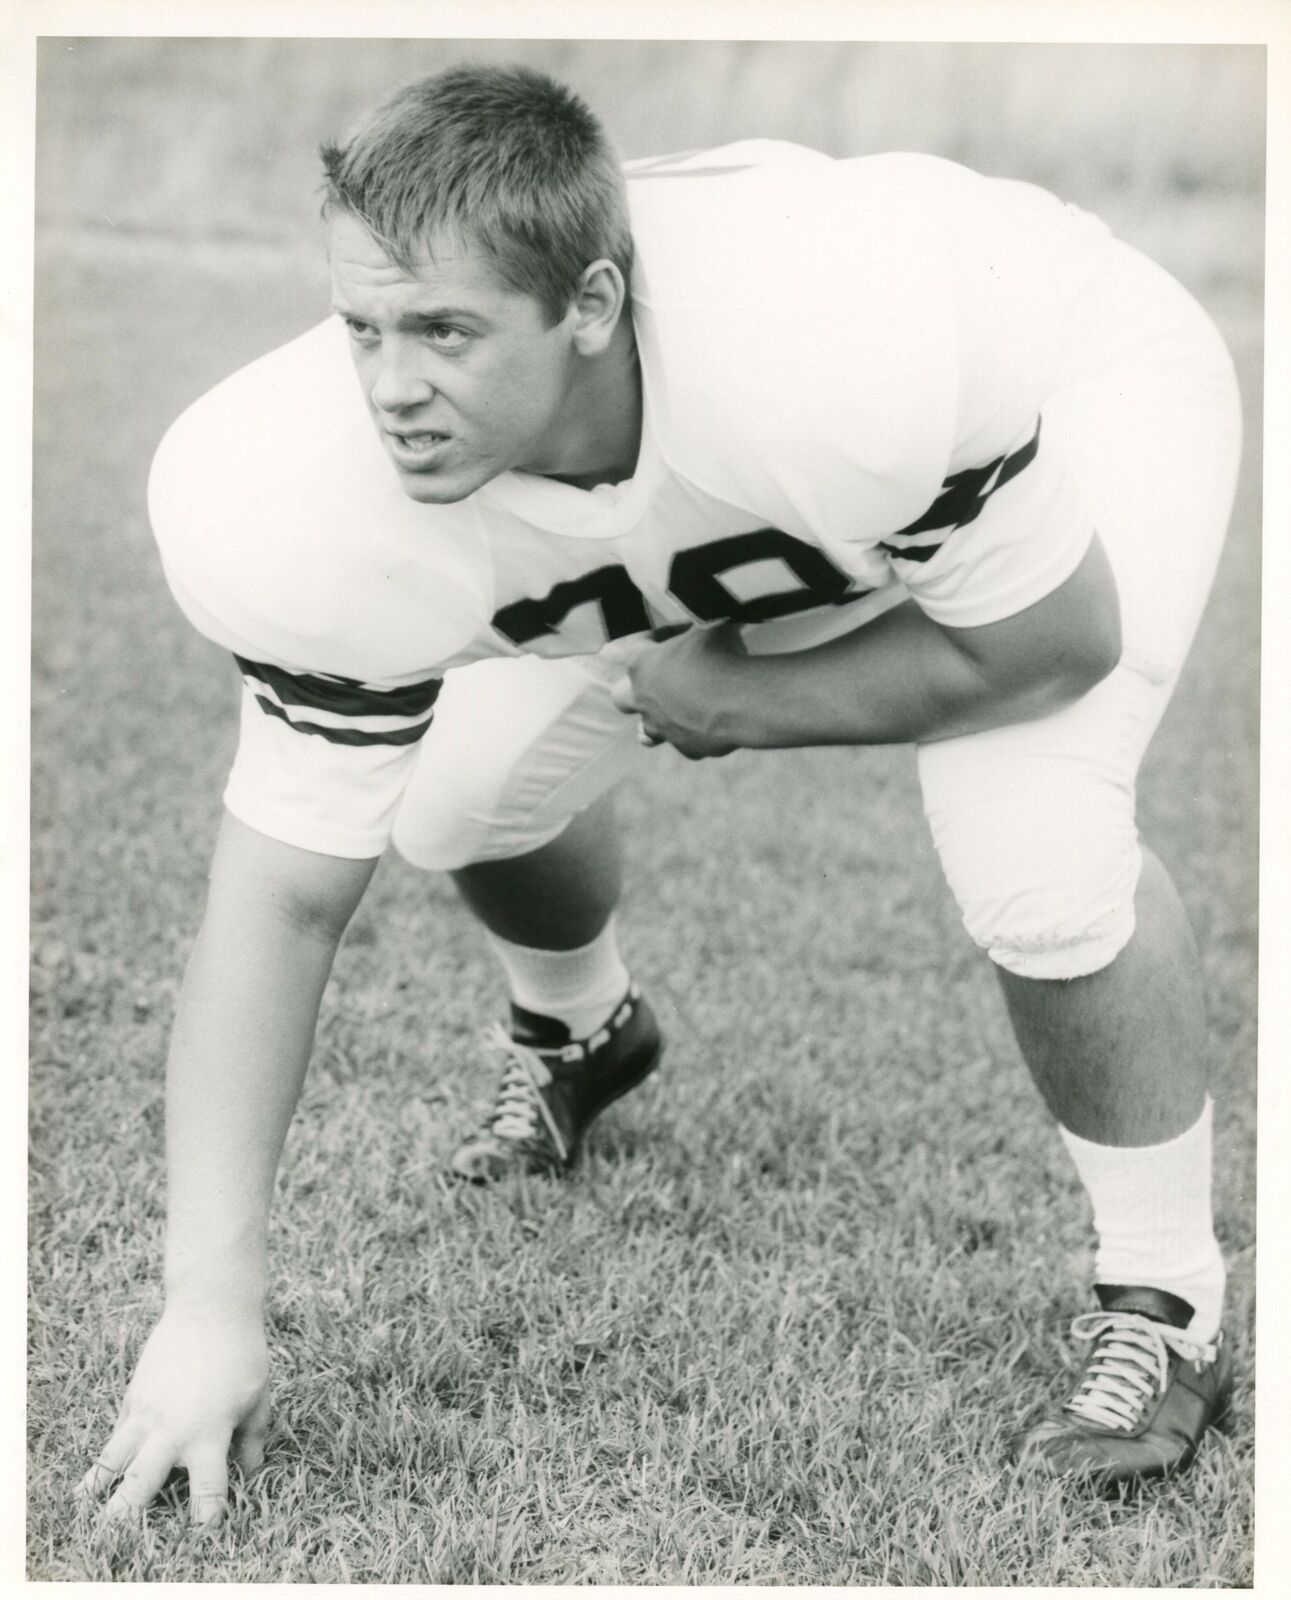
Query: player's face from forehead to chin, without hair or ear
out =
(463, 377)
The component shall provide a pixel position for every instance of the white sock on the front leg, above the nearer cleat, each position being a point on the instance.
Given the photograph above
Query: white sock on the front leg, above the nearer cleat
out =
(1153, 1215)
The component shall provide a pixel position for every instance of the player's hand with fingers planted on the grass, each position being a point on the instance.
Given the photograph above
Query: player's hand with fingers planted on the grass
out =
(199, 1391)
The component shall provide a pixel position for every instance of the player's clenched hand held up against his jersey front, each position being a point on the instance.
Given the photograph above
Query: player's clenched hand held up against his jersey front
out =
(681, 690)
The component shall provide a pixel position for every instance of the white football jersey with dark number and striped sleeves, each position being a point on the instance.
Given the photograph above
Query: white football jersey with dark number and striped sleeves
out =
(845, 367)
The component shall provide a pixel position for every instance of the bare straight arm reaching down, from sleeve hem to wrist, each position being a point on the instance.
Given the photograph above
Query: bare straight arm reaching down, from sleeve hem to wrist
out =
(239, 1055)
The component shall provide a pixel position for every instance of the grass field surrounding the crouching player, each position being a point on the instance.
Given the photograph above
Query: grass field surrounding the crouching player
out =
(807, 1282)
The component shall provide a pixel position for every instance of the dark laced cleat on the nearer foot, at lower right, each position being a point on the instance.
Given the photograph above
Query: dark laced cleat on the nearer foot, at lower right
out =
(1146, 1398)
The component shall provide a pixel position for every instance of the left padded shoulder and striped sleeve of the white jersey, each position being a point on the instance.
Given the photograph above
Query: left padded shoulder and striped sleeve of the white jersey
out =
(287, 542)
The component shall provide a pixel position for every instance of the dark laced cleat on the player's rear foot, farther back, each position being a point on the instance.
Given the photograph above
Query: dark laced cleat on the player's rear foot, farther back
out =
(554, 1087)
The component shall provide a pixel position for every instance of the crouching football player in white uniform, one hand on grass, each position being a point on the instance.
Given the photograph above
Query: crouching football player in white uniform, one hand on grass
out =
(745, 449)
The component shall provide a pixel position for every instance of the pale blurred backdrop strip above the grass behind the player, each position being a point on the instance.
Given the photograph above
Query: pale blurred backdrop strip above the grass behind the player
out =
(215, 140)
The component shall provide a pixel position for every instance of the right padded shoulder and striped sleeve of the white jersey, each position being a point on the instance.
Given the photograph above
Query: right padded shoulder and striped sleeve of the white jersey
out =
(873, 377)
